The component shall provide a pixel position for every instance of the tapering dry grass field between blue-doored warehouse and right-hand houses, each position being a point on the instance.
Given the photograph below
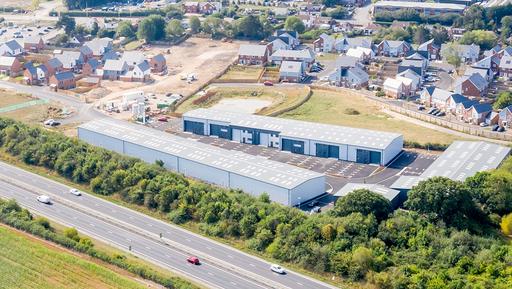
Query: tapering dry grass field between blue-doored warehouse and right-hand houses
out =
(352, 109)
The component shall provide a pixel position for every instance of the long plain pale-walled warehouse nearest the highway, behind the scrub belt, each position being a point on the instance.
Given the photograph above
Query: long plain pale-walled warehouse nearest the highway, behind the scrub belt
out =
(285, 184)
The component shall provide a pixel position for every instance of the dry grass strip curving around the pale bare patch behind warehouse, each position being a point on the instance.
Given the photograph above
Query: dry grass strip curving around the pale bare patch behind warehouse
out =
(281, 97)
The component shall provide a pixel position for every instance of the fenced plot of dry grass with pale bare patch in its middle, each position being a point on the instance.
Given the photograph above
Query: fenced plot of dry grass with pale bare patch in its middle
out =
(252, 99)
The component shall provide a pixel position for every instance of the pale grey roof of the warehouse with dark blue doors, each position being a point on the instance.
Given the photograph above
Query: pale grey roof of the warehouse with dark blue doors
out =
(301, 129)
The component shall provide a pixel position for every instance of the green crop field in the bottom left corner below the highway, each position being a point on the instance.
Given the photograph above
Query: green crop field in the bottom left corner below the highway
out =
(26, 262)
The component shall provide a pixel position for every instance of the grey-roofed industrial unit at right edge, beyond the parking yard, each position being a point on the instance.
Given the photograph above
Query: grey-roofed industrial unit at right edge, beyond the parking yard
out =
(461, 160)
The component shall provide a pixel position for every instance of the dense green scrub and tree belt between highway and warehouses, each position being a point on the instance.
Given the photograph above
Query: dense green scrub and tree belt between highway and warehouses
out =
(448, 238)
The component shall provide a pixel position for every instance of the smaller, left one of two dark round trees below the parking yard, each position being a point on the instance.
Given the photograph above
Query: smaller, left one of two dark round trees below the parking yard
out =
(363, 201)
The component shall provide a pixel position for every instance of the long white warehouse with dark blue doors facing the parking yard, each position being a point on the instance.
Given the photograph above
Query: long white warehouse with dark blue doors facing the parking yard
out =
(315, 139)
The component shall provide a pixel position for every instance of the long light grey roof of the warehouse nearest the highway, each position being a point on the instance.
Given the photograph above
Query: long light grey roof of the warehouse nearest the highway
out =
(254, 167)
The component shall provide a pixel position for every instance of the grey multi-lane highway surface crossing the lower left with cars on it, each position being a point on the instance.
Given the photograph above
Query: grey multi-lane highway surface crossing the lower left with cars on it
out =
(224, 267)
